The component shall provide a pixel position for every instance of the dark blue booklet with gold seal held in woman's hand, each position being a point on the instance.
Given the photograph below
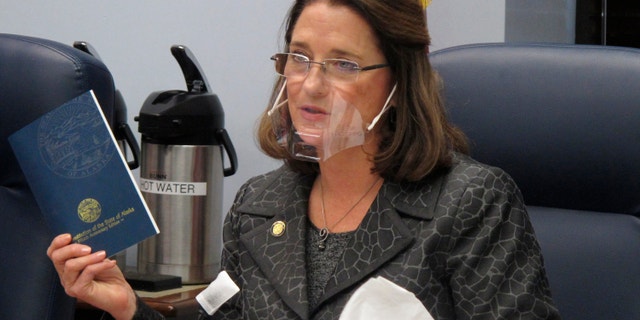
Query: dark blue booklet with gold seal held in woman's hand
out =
(80, 179)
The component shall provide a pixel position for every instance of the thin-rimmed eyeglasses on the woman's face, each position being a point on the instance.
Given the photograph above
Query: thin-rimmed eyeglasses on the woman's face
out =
(296, 66)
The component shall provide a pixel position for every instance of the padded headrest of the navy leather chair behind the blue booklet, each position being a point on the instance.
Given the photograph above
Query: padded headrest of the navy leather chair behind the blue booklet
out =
(38, 75)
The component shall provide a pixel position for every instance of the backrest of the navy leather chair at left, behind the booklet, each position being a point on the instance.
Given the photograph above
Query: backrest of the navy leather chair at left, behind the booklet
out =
(36, 75)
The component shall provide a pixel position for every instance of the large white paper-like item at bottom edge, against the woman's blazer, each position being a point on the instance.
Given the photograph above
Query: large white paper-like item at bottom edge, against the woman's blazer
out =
(379, 298)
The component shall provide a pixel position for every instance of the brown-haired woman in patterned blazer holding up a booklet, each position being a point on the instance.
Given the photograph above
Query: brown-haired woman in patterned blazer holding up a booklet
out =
(375, 187)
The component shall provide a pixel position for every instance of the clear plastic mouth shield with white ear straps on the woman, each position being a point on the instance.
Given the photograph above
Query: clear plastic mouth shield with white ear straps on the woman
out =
(317, 141)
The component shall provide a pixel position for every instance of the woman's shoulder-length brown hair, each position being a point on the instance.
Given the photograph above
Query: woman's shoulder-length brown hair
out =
(416, 137)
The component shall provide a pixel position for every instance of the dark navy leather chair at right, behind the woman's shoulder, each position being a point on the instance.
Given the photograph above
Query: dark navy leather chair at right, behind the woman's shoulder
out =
(564, 121)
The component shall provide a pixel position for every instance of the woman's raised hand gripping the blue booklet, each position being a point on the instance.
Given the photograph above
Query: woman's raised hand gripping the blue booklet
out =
(92, 277)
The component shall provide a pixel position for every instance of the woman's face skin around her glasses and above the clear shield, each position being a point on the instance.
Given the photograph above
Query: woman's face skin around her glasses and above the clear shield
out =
(324, 32)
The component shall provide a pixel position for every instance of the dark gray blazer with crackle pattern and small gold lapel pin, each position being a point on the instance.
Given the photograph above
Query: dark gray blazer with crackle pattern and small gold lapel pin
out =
(460, 241)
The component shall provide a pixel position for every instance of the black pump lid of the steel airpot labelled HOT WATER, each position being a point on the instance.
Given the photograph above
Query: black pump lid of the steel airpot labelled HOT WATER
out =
(182, 117)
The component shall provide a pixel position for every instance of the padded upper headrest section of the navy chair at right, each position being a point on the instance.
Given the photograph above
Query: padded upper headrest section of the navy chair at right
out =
(563, 120)
